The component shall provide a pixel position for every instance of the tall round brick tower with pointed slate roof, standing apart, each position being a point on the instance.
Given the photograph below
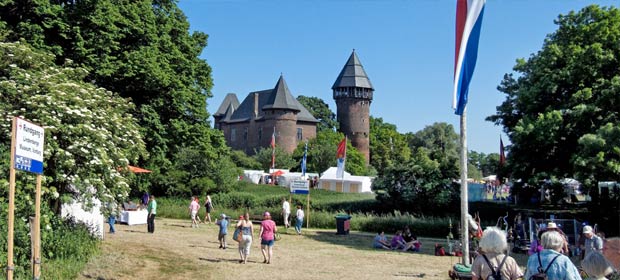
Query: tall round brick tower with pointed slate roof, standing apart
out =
(353, 94)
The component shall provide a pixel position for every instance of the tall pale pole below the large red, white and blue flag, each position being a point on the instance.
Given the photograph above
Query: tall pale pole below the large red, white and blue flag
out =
(464, 194)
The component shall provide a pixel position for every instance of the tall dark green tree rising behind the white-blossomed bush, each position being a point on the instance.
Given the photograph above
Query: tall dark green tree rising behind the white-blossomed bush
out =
(141, 49)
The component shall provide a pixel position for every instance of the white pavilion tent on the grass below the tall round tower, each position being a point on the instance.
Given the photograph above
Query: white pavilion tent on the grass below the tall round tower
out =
(349, 184)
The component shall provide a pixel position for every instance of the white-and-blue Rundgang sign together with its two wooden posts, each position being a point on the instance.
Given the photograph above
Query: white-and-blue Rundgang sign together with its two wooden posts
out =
(27, 144)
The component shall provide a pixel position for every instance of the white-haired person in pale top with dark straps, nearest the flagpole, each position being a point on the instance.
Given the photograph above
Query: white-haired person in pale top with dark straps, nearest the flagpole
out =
(492, 258)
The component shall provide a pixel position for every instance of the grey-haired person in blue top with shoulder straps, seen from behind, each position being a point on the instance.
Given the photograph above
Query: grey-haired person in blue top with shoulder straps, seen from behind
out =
(556, 265)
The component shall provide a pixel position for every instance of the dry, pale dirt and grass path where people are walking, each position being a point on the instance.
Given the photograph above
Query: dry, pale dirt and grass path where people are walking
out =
(177, 251)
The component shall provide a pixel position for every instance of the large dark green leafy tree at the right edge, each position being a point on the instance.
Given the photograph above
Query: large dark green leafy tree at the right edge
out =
(562, 96)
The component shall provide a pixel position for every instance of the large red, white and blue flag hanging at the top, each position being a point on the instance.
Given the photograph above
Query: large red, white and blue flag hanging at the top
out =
(468, 24)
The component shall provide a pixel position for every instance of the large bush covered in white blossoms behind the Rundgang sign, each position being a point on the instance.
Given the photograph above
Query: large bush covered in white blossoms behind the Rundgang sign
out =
(90, 135)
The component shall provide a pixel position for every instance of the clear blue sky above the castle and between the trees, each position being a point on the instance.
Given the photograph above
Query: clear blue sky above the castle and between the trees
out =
(406, 48)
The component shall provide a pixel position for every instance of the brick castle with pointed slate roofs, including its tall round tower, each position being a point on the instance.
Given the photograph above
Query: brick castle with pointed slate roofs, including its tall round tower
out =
(250, 124)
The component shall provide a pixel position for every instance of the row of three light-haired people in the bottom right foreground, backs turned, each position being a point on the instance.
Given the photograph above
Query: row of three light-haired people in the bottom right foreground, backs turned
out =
(547, 259)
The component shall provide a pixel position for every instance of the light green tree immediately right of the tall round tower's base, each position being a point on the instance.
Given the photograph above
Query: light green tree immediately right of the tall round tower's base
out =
(387, 146)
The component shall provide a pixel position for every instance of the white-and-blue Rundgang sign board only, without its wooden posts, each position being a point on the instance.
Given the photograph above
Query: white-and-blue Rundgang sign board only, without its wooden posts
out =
(29, 146)
